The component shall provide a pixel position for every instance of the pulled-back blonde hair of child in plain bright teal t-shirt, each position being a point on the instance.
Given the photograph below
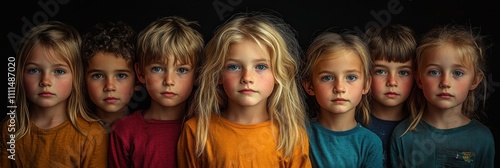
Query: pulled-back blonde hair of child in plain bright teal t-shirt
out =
(330, 42)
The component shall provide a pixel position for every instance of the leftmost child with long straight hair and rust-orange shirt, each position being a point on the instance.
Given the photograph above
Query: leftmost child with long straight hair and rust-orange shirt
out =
(52, 125)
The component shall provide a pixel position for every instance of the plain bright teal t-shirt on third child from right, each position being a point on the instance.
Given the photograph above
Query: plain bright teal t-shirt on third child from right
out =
(358, 147)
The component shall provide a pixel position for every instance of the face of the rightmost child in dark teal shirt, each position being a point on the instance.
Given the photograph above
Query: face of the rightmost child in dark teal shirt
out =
(444, 79)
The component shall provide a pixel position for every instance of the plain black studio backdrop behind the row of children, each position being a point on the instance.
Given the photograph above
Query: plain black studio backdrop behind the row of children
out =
(308, 17)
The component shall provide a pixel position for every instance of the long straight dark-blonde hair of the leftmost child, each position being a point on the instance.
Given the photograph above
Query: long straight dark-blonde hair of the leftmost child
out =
(64, 41)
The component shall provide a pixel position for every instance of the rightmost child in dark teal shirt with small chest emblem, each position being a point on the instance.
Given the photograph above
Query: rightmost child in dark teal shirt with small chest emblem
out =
(442, 130)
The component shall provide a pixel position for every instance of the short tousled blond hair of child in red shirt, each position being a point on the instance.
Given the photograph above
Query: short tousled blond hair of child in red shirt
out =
(171, 36)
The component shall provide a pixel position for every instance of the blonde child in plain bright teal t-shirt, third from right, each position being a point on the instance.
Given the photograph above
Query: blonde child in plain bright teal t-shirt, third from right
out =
(337, 77)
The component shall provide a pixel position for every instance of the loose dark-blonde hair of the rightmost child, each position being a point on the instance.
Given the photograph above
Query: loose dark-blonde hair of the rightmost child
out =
(469, 48)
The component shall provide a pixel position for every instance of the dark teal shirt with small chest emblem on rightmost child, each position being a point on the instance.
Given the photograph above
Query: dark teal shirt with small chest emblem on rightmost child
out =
(471, 145)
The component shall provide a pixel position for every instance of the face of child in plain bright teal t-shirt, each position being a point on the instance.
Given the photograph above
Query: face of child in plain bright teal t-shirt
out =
(338, 82)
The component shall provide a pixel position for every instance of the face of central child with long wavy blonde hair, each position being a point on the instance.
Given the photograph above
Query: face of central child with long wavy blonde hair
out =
(247, 77)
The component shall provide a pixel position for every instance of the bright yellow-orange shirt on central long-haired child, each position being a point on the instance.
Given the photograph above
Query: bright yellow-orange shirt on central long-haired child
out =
(233, 145)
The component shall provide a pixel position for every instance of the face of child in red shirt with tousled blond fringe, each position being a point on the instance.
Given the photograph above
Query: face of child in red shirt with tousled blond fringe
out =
(169, 84)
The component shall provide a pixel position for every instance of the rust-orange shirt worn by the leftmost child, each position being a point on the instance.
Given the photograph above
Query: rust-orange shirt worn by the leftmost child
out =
(61, 146)
